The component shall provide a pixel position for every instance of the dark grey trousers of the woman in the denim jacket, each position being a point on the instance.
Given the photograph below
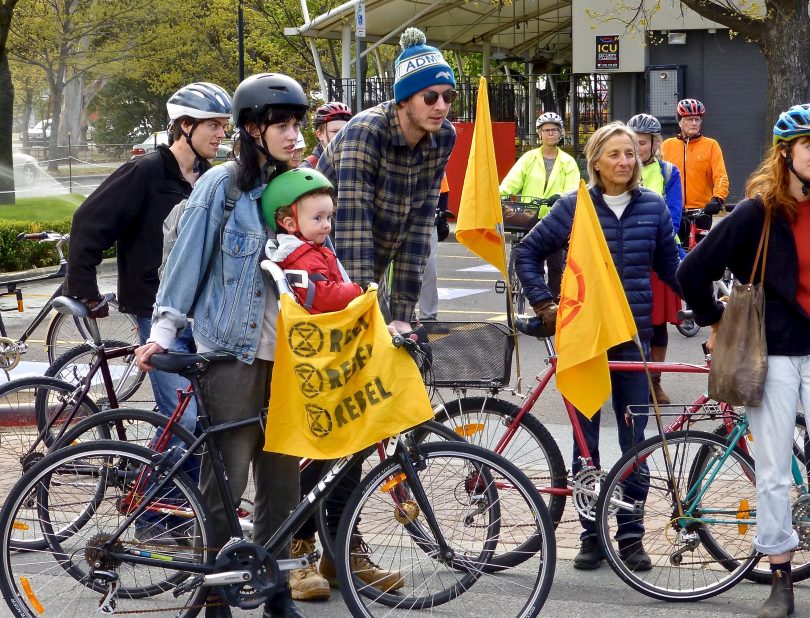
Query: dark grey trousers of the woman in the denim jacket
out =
(236, 391)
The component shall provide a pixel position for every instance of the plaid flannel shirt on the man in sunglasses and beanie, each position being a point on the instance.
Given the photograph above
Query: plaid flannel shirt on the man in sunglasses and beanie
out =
(386, 200)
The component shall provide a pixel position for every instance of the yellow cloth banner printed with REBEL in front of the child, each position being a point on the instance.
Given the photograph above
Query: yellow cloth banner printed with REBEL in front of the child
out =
(339, 385)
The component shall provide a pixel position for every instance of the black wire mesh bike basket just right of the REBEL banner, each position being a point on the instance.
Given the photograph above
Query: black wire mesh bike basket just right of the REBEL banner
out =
(470, 354)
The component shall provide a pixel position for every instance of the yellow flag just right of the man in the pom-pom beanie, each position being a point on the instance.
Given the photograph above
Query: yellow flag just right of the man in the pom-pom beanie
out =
(480, 220)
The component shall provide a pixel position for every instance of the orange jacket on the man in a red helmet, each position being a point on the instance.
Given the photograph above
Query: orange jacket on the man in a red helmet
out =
(703, 171)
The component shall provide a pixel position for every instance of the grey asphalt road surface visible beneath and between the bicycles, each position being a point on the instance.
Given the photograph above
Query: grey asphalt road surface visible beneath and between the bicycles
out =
(467, 293)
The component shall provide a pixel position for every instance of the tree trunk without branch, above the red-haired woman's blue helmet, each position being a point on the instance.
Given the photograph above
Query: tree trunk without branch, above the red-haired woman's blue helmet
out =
(786, 46)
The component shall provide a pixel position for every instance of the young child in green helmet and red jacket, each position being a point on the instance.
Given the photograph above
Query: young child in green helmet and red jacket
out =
(298, 206)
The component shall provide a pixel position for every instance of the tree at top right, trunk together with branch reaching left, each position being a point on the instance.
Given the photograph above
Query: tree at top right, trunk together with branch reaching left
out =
(783, 35)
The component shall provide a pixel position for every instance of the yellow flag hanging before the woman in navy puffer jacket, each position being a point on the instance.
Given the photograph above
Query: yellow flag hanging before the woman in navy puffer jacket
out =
(593, 315)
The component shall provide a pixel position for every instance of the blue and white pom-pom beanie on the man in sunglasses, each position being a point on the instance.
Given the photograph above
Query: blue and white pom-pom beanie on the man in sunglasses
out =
(419, 66)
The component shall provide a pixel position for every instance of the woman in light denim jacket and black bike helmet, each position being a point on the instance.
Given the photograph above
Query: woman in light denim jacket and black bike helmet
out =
(213, 272)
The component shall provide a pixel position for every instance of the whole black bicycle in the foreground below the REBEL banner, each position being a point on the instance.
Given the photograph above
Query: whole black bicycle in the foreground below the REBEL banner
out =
(433, 512)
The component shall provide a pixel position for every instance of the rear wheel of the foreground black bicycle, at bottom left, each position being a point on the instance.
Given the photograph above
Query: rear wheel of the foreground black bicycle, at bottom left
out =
(83, 493)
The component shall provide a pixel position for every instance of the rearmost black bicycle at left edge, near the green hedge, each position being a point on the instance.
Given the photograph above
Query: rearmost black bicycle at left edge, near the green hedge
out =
(63, 332)
